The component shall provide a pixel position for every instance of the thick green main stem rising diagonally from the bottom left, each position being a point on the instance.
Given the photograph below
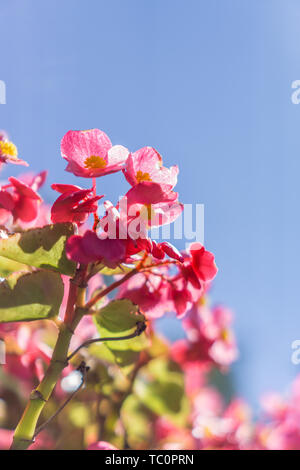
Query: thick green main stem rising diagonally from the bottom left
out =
(24, 432)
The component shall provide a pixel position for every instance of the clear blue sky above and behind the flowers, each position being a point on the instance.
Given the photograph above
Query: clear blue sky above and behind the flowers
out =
(206, 82)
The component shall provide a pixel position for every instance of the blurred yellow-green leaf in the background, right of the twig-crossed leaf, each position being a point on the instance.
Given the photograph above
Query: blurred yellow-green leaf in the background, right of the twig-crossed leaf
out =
(160, 387)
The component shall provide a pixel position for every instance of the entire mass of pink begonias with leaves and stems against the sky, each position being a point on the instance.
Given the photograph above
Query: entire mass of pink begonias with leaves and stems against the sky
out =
(141, 390)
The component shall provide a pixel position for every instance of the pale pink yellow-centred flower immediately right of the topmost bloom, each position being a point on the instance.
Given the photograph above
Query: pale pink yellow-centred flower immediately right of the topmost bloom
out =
(146, 165)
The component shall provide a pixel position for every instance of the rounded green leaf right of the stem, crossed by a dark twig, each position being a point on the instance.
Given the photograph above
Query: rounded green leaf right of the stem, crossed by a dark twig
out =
(119, 318)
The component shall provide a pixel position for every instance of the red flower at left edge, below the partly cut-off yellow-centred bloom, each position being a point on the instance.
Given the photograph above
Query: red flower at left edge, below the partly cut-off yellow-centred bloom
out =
(19, 200)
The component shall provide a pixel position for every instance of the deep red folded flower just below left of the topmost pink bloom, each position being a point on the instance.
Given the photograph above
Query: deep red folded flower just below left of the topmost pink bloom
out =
(74, 205)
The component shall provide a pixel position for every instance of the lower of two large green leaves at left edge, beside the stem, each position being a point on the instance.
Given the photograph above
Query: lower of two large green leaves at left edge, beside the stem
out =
(30, 296)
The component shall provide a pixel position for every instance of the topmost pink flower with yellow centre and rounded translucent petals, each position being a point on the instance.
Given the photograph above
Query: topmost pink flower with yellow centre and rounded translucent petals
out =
(91, 154)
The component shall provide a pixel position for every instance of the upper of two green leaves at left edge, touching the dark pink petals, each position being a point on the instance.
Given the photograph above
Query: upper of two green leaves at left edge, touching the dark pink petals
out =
(40, 247)
